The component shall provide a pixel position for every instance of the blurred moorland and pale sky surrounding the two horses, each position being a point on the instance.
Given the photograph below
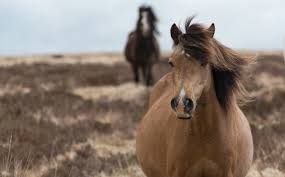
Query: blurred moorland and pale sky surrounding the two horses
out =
(68, 103)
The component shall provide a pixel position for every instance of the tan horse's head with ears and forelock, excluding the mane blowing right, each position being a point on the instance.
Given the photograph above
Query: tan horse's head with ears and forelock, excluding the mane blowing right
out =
(191, 69)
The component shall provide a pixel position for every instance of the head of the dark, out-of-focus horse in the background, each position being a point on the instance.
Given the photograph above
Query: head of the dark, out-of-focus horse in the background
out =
(147, 21)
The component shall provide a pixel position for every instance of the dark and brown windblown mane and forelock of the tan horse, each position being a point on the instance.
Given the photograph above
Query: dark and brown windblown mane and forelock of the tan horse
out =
(227, 66)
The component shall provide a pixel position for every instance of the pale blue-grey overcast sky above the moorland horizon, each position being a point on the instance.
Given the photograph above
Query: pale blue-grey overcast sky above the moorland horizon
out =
(63, 26)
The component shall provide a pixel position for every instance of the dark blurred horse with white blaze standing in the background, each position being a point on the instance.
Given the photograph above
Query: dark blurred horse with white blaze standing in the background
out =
(142, 49)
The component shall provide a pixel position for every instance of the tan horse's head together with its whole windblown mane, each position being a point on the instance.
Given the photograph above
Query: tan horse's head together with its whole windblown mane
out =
(200, 64)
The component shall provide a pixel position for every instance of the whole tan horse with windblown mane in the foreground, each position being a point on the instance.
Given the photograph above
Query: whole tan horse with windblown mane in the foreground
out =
(194, 126)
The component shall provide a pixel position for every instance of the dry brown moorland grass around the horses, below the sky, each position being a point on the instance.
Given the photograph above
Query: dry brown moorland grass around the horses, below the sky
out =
(76, 115)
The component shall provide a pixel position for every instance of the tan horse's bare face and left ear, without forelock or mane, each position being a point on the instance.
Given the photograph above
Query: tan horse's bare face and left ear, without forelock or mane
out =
(190, 78)
